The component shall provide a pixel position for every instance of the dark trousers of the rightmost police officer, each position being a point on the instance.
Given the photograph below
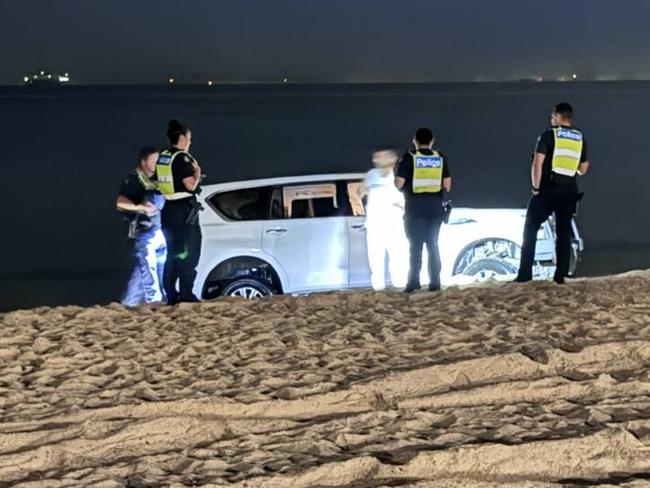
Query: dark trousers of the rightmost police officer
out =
(559, 200)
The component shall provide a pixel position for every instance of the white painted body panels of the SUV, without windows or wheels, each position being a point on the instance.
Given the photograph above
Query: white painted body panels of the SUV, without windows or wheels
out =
(326, 253)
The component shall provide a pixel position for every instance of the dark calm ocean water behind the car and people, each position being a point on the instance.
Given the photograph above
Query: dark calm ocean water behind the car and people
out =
(67, 148)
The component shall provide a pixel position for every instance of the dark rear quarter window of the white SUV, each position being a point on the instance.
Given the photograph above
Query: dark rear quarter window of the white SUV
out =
(244, 204)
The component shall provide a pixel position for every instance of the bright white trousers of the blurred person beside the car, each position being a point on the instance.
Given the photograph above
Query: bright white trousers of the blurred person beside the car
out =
(386, 239)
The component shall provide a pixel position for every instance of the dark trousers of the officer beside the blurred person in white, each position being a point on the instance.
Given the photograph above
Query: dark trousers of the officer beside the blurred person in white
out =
(423, 232)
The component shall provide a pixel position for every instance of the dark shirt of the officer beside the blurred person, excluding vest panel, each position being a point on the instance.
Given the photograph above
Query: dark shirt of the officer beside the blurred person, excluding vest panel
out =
(423, 205)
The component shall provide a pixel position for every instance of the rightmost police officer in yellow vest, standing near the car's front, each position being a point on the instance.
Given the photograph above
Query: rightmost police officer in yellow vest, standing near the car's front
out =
(560, 155)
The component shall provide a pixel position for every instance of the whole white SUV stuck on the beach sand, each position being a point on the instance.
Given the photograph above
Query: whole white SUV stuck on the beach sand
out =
(306, 234)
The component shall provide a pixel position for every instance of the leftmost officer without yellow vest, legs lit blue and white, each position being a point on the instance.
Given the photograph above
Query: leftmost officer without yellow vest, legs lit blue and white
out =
(139, 198)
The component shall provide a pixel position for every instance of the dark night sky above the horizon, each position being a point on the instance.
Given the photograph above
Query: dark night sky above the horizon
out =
(146, 41)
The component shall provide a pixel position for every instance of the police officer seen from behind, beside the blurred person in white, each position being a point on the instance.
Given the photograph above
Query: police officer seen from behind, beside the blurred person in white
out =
(424, 177)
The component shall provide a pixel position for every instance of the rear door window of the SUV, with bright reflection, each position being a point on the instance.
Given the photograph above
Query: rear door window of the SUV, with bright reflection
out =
(308, 201)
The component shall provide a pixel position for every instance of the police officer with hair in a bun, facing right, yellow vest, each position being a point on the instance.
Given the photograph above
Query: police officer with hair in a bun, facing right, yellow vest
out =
(179, 176)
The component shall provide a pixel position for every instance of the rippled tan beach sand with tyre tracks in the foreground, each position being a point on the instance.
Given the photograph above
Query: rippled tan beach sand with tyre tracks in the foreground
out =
(501, 385)
